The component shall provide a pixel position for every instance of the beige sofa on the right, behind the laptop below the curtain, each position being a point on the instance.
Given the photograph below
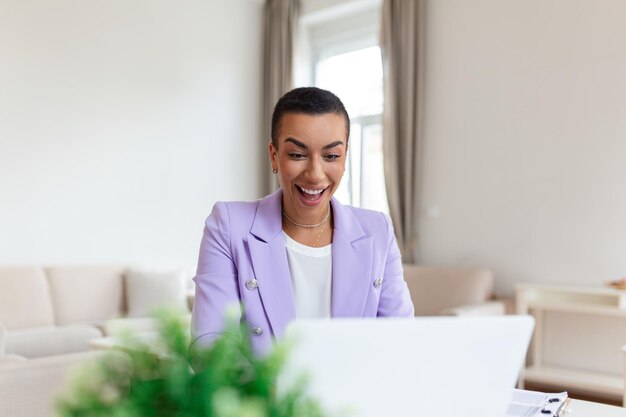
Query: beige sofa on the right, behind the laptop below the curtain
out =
(457, 291)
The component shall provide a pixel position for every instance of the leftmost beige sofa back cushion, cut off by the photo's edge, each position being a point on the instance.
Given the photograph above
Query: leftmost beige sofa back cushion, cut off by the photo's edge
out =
(24, 298)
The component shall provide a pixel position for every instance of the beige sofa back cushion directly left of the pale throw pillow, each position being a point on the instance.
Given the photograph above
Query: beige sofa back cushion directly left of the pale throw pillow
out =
(86, 294)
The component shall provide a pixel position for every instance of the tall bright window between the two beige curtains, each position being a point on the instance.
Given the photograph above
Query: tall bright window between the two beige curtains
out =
(338, 51)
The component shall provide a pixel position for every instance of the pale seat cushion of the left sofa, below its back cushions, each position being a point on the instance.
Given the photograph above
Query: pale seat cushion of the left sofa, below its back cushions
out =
(48, 341)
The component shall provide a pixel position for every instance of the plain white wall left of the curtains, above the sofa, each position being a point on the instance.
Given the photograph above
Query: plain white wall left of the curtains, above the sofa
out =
(121, 123)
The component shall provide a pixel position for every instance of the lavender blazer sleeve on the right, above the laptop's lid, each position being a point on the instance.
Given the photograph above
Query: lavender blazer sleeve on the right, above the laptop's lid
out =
(395, 299)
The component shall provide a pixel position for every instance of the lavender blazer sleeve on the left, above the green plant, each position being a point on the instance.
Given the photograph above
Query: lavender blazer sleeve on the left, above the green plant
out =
(217, 293)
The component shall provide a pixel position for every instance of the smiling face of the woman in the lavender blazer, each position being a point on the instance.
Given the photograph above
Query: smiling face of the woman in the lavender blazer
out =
(310, 160)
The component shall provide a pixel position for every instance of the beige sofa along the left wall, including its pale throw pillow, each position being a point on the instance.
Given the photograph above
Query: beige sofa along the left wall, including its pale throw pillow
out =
(56, 310)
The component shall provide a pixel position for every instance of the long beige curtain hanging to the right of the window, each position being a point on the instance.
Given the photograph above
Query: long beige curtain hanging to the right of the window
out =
(401, 51)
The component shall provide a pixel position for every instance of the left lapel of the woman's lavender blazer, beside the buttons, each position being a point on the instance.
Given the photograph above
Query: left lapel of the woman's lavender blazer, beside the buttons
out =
(270, 264)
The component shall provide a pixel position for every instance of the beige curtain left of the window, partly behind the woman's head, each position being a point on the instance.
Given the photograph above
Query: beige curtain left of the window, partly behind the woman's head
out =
(280, 20)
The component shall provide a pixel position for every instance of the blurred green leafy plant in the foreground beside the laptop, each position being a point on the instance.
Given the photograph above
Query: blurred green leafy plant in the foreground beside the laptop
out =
(164, 378)
